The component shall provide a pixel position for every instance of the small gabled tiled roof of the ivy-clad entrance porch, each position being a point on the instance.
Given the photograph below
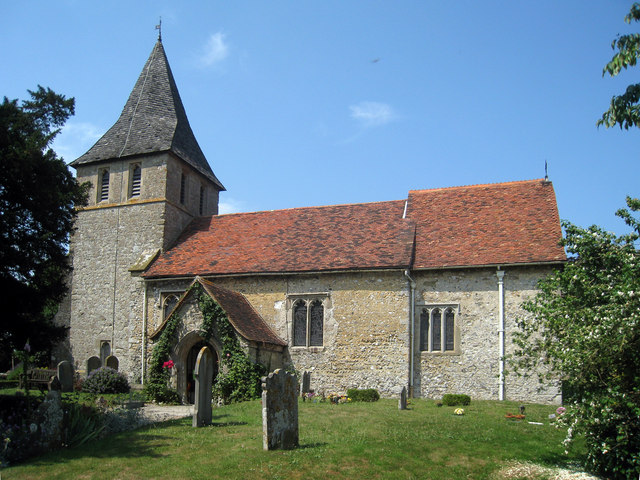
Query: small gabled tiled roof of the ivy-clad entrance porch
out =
(242, 316)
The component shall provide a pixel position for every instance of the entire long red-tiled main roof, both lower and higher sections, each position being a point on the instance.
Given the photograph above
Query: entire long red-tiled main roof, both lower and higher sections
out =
(480, 225)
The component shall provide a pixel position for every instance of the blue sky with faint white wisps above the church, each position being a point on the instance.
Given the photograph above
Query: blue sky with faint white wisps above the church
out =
(300, 103)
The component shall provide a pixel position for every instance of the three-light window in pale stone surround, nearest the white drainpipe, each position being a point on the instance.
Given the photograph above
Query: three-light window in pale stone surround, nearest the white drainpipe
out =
(438, 328)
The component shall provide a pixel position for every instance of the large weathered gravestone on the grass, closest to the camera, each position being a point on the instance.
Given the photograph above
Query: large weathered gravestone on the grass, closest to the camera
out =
(279, 411)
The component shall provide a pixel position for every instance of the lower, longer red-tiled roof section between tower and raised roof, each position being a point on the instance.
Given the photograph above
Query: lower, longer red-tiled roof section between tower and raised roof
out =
(333, 238)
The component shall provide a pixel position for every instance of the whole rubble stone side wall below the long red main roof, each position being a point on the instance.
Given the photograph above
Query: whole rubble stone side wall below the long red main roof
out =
(366, 328)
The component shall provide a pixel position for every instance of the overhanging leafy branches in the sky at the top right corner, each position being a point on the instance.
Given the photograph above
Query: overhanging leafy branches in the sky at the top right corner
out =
(624, 109)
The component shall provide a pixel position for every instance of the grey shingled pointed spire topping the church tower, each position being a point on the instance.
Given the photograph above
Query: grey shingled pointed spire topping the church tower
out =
(153, 120)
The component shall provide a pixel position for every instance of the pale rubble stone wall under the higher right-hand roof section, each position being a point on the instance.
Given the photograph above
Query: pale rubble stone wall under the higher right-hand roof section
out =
(473, 369)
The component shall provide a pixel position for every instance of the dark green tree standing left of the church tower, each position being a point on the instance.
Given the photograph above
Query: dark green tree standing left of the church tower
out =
(38, 197)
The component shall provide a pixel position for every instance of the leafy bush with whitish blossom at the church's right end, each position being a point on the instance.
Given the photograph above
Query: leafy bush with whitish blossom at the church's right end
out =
(585, 330)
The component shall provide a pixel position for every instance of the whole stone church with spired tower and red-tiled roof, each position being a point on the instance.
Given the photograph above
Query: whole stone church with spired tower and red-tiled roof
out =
(422, 292)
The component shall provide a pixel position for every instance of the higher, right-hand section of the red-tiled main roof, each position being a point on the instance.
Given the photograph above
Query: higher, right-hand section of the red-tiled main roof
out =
(504, 223)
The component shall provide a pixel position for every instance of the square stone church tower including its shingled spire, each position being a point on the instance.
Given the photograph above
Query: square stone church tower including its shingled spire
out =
(149, 179)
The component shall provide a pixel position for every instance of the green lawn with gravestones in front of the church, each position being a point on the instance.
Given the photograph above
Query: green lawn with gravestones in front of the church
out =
(356, 440)
